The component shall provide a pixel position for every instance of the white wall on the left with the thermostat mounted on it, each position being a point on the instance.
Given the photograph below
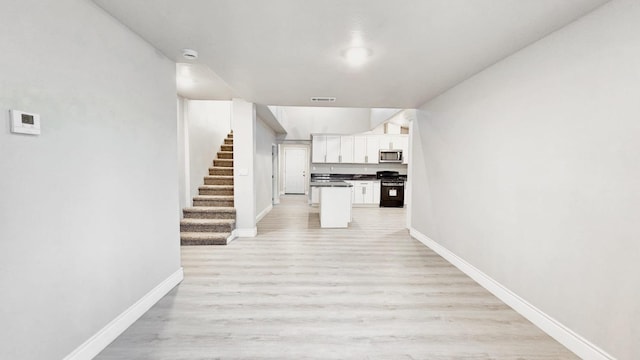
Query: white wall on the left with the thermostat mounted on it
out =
(88, 209)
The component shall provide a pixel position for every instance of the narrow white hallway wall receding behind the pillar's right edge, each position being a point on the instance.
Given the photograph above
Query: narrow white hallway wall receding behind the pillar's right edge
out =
(265, 138)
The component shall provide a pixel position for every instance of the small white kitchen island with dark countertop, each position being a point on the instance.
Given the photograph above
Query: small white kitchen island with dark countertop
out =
(335, 203)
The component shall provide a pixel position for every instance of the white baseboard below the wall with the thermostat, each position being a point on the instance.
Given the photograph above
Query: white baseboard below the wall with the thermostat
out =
(98, 342)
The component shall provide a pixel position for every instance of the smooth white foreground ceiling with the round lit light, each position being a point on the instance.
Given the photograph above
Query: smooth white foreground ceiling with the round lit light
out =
(283, 52)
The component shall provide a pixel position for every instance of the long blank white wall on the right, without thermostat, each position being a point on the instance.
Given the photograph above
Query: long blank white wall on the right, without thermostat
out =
(529, 172)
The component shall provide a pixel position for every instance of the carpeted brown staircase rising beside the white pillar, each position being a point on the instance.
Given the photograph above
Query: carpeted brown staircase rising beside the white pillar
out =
(212, 218)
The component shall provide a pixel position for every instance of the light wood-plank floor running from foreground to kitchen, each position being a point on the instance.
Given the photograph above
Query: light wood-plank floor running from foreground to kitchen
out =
(300, 292)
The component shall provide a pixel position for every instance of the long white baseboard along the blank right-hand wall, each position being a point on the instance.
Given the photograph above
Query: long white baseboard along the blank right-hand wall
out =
(567, 337)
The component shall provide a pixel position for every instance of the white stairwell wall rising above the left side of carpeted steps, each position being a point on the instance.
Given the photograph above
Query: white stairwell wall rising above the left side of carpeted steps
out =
(207, 125)
